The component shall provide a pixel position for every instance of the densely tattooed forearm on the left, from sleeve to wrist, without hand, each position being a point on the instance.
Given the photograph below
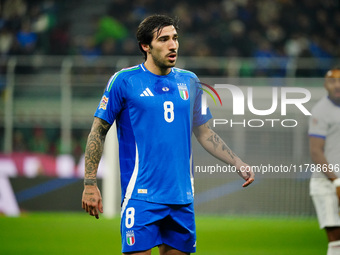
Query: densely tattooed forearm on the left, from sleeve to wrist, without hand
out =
(94, 149)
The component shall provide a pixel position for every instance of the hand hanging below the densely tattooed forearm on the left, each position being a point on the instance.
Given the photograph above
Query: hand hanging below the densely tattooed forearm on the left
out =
(92, 201)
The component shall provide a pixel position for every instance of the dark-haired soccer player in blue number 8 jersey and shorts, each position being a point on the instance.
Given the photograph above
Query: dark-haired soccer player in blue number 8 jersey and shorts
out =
(156, 107)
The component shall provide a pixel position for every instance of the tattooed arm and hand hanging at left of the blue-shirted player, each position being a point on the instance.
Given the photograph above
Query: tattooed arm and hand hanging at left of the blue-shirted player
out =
(92, 199)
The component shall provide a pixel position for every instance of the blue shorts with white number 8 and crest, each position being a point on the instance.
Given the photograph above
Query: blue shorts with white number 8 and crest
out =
(145, 225)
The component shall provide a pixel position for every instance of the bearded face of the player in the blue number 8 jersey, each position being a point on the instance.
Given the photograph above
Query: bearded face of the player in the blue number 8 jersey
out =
(164, 47)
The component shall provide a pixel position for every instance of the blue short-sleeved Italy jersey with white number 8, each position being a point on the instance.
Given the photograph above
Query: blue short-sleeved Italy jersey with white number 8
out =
(154, 117)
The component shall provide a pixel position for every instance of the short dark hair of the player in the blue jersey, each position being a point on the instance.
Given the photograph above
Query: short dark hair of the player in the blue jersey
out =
(148, 26)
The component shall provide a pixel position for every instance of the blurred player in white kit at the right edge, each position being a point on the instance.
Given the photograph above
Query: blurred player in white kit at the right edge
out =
(324, 138)
